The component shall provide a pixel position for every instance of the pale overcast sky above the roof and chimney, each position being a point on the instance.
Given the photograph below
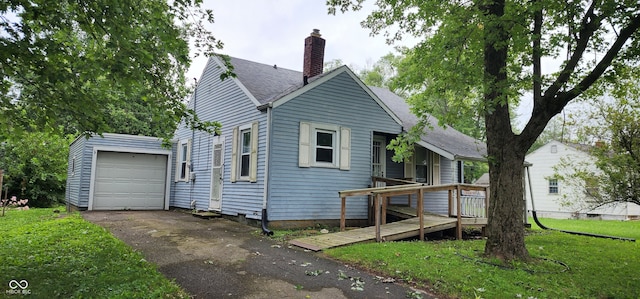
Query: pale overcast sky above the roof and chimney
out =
(273, 32)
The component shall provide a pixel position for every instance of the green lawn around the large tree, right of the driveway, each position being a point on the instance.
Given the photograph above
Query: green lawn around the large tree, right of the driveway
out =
(595, 268)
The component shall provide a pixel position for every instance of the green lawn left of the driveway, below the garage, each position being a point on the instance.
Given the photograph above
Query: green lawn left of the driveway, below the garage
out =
(64, 256)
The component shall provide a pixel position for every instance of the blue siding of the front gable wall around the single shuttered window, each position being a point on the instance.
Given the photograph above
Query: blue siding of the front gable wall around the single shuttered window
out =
(311, 193)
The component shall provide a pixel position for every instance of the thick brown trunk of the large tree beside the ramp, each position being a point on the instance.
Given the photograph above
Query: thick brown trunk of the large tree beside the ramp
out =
(505, 230)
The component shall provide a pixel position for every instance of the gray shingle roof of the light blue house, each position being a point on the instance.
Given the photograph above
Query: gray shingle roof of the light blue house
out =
(268, 83)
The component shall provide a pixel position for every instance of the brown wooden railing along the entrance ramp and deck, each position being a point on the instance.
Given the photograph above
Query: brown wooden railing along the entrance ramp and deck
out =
(473, 200)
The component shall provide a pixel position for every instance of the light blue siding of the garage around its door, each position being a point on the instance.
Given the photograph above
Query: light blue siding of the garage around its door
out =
(79, 184)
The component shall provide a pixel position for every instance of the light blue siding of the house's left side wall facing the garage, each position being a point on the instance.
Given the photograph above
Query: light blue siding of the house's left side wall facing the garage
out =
(228, 104)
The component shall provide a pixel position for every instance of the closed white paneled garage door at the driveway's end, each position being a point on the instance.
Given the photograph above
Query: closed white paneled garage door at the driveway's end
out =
(129, 181)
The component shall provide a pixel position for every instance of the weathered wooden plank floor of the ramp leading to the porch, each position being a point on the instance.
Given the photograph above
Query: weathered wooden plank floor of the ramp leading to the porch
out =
(389, 232)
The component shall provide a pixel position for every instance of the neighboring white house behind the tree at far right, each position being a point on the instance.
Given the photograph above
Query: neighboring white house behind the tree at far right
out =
(553, 199)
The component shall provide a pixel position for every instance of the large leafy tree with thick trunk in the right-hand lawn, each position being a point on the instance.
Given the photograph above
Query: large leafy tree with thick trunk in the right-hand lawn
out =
(492, 51)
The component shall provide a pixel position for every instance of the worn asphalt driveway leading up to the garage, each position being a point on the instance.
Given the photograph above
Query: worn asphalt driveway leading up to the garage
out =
(215, 258)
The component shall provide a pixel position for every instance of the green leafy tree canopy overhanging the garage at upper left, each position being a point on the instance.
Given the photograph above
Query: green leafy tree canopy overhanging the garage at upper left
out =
(70, 61)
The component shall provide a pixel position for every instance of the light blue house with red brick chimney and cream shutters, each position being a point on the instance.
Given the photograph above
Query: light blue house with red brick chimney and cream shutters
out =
(291, 140)
